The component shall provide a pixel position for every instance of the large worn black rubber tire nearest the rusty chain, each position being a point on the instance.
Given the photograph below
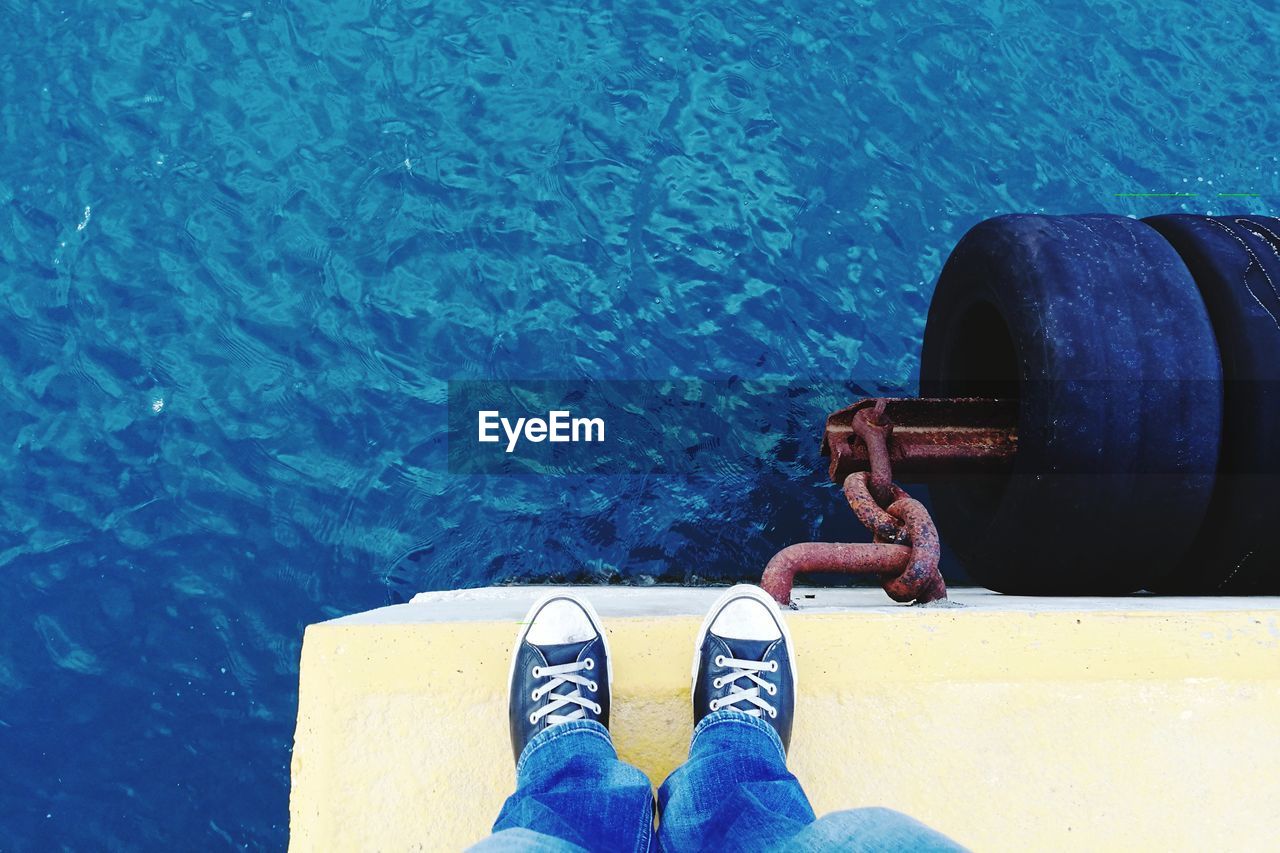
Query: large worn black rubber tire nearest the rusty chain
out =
(1096, 326)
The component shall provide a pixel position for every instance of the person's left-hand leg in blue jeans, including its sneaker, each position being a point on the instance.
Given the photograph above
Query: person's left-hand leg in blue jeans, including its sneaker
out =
(572, 790)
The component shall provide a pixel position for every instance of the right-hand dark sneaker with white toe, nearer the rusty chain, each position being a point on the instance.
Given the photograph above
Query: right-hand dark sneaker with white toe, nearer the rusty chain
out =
(744, 660)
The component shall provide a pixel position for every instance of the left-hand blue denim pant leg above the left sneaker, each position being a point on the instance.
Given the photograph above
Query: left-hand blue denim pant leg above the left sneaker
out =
(573, 793)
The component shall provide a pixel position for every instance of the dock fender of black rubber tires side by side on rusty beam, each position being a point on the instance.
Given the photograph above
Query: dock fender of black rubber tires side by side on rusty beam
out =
(1145, 357)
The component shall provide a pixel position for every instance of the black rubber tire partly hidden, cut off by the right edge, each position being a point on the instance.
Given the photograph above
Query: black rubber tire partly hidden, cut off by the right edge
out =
(1236, 263)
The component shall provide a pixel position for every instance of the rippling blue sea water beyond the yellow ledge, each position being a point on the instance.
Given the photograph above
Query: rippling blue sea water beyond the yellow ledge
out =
(244, 248)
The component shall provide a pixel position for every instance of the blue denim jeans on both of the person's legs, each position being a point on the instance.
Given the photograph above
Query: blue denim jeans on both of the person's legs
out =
(573, 793)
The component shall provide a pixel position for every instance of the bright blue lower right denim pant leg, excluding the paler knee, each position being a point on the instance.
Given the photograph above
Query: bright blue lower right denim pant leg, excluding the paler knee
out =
(735, 791)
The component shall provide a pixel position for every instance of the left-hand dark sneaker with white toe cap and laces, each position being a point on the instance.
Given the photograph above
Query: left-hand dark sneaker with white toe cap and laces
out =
(560, 669)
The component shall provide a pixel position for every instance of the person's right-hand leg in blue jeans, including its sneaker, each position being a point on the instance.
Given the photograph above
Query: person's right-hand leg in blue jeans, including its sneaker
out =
(735, 791)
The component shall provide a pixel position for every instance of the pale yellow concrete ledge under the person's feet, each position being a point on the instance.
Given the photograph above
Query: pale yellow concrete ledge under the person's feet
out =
(1008, 724)
